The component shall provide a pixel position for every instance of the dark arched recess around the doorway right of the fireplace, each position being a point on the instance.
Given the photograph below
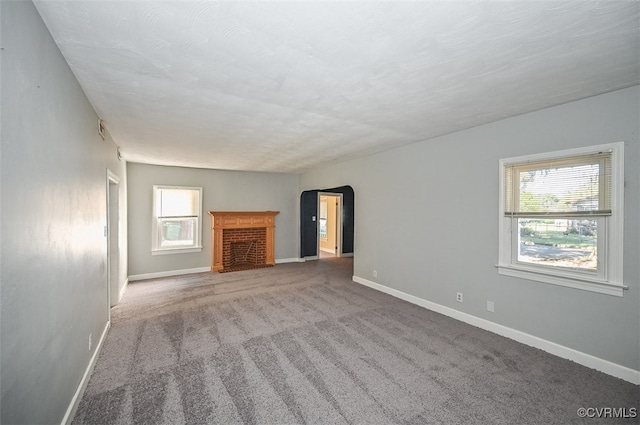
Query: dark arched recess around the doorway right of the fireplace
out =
(309, 220)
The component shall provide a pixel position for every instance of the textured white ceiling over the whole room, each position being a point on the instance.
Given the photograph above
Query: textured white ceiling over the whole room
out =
(286, 86)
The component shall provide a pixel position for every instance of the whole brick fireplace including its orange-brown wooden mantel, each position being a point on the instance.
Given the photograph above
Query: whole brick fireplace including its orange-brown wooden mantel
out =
(242, 240)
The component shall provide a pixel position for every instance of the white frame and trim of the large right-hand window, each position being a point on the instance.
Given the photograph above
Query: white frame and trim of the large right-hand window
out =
(609, 278)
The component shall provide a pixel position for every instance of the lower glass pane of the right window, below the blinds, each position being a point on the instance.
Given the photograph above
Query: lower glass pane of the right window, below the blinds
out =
(563, 242)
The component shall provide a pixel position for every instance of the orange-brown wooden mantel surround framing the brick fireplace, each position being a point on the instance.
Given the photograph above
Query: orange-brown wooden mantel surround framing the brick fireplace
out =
(221, 220)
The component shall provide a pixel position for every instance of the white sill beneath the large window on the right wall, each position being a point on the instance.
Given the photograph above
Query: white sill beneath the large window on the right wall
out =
(584, 283)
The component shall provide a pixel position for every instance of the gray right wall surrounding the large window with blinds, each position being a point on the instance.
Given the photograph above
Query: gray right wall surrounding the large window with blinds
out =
(426, 220)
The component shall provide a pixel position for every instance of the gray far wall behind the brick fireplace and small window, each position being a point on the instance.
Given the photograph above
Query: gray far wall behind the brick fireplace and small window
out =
(222, 191)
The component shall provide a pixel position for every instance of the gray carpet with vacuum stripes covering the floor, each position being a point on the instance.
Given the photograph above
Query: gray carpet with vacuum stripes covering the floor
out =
(301, 343)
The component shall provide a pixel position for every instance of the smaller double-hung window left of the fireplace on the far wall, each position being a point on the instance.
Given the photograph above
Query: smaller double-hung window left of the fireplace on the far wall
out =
(177, 218)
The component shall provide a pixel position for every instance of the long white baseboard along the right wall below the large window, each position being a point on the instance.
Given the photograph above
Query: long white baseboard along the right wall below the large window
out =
(605, 366)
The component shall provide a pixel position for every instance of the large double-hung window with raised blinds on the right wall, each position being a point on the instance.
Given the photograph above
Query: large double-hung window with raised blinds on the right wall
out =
(561, 218)
